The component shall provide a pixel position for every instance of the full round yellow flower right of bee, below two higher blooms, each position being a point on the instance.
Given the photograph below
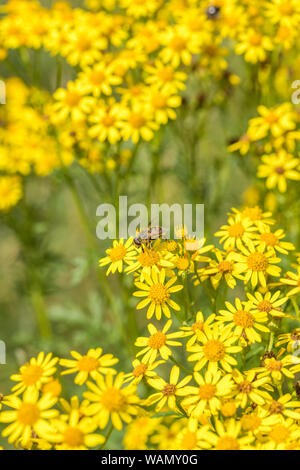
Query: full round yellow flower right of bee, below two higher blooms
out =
(257, 263)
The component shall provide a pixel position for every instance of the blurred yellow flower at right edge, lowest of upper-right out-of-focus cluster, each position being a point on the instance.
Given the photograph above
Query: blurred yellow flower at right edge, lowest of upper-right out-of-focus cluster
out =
(278, 168)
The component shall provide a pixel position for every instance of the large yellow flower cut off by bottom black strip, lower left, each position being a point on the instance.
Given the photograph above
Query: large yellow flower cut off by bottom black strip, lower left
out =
(76, 433)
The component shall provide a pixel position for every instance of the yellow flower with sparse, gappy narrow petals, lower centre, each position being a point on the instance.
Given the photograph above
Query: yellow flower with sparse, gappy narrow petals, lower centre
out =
(168, 391)
